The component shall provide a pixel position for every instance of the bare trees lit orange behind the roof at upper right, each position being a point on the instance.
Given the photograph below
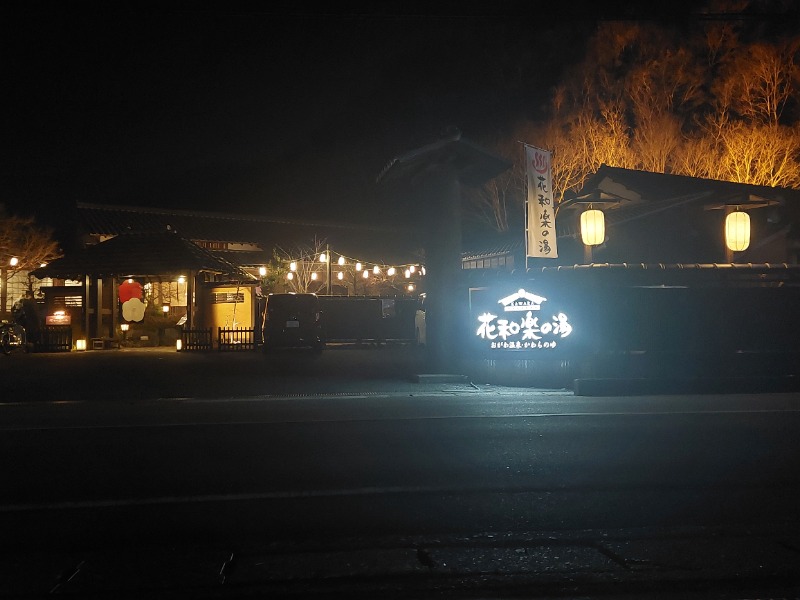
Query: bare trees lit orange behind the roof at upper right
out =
(703, 104)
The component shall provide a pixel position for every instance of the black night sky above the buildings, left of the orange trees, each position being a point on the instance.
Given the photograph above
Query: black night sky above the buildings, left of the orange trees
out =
(279, 111)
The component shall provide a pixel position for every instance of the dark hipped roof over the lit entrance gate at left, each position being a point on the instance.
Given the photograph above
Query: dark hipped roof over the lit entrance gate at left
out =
(139, 254)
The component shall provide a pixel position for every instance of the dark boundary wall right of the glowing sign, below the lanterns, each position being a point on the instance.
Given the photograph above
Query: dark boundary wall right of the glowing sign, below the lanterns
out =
(680, 322)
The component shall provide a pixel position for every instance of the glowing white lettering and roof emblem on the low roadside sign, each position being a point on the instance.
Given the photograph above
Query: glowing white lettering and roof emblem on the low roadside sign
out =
(521, 326)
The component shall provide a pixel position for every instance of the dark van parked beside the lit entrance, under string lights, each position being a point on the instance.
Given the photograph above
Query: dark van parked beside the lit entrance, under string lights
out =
(293, 321)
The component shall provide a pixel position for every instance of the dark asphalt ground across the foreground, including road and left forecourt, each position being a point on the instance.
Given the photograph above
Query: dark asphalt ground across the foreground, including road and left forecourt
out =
(210, 477)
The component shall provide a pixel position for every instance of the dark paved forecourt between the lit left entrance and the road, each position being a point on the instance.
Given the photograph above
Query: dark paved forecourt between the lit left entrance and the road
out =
(137, 374)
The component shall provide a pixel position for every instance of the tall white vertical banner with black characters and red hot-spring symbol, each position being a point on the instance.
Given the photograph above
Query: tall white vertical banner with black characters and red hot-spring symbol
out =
(540, 225)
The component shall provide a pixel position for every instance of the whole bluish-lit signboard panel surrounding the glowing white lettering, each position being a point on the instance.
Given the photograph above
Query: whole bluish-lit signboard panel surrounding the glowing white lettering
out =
(529, 319)
